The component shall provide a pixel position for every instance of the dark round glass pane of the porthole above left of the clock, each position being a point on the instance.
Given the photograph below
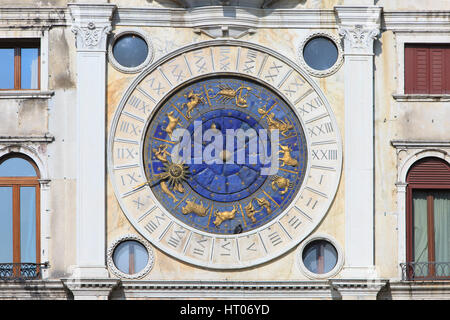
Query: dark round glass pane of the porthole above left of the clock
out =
(130, 51)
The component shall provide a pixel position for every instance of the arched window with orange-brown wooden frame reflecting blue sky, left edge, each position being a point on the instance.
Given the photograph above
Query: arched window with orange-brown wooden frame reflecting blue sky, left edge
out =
(19, 217)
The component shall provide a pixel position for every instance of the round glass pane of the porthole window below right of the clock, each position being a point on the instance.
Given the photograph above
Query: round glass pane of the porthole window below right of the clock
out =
(319, 256)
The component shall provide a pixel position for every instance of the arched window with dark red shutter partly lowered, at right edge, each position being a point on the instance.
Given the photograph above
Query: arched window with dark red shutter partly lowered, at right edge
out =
(428, 219)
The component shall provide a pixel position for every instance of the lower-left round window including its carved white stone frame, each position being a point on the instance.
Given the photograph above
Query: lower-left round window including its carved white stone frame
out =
(129, 258)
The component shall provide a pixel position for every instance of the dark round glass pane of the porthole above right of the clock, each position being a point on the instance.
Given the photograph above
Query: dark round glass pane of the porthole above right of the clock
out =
(320, 53)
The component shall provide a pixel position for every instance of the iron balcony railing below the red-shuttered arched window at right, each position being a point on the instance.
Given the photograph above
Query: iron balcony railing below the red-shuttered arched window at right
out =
(425, 270)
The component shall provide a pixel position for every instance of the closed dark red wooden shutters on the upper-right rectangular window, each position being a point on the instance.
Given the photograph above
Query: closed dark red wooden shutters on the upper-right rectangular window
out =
(427, 68)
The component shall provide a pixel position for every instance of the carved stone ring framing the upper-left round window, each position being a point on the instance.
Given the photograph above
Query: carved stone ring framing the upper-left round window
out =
(121, 33)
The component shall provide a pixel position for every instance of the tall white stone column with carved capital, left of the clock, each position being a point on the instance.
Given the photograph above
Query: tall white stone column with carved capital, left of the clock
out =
(91, 24)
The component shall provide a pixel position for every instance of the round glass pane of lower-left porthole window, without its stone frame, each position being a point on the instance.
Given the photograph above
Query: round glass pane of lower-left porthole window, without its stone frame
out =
(130, 257)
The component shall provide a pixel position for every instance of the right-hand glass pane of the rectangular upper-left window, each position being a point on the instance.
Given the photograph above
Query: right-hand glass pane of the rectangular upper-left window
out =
(29, 68)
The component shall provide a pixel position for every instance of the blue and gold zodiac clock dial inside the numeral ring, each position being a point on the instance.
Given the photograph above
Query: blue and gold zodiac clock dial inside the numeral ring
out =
(232, 195)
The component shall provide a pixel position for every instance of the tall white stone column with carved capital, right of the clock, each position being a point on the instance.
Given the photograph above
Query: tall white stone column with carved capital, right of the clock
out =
(359, 26)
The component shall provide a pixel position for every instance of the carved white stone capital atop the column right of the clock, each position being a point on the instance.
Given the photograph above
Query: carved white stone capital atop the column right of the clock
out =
(359, 26)
